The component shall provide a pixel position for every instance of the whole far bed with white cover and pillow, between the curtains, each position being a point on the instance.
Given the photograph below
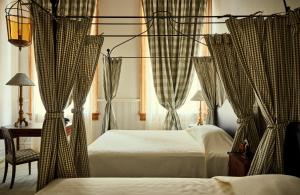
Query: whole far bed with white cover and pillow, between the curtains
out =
(200, 151)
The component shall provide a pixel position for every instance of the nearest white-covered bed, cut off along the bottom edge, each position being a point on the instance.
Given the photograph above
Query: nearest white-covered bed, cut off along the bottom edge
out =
(250, 185)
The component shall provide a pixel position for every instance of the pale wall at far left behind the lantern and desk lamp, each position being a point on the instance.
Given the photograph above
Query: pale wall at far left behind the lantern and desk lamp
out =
(8, 68)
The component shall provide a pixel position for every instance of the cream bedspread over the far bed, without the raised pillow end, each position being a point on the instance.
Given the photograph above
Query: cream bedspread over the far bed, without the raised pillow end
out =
(129, 153)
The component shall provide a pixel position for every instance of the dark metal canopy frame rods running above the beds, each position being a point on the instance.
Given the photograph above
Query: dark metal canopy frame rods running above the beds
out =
(56, 17)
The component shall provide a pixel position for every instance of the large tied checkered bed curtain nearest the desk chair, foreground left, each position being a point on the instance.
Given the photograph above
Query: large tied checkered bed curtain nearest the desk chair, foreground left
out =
(56, 76)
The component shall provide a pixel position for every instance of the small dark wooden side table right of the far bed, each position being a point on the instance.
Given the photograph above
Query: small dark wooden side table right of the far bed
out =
(238, 165)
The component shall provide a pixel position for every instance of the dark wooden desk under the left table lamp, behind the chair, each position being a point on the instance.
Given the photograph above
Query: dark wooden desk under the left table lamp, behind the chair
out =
(32, 130)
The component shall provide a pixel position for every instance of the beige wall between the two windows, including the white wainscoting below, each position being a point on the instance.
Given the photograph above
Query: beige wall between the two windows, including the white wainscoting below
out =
(126, 103)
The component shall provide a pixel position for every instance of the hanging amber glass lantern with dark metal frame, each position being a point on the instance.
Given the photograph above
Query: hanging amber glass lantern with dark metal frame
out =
(18, 21)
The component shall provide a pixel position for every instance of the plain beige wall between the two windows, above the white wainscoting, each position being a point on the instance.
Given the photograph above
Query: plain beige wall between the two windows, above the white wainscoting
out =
(129, 84)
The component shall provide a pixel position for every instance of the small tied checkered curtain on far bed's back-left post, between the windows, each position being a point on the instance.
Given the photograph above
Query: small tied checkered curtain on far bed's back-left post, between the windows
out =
(111, 76)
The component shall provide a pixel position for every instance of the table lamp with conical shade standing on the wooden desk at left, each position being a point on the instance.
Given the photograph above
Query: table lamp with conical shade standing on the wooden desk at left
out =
(20, 79)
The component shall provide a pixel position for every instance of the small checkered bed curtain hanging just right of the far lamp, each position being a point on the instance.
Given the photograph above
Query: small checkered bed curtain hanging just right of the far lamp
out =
(207, 77)
